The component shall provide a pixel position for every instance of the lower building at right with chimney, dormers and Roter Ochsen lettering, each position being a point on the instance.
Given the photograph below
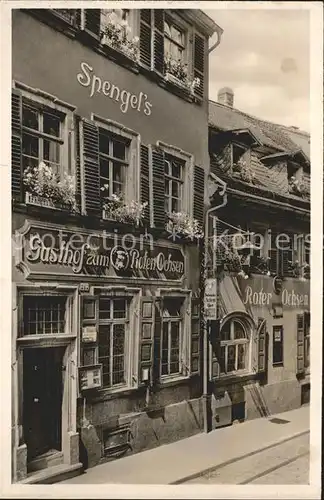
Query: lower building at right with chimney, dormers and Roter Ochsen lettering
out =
(259, 362)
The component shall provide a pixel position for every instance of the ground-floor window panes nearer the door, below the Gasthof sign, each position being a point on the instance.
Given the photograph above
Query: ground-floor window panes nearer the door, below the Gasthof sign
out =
(113, 329)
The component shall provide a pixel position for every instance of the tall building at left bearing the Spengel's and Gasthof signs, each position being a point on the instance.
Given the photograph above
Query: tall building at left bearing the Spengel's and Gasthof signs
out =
(106, 346)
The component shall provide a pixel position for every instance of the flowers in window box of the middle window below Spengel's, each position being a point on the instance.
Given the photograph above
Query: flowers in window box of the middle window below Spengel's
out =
(115, 208)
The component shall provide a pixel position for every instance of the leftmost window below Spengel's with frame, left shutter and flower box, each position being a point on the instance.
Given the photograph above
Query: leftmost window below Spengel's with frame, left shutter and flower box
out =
(42, 136)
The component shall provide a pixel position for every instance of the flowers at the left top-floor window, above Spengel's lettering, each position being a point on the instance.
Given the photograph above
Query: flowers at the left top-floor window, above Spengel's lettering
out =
(116, 34)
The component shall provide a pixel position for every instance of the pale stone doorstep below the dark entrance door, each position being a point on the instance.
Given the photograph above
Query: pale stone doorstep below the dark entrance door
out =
(53, 474)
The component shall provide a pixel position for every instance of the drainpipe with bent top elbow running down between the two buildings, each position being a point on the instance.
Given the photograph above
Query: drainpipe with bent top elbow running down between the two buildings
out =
(206, 395)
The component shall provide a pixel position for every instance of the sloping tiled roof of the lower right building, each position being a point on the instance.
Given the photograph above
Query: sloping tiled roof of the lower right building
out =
(269, 134)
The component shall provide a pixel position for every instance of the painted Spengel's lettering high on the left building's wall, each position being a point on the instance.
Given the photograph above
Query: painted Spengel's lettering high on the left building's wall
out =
(127, 100)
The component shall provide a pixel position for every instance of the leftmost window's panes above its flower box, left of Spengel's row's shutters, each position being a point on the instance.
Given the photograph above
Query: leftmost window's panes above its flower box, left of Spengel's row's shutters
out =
(42, 137)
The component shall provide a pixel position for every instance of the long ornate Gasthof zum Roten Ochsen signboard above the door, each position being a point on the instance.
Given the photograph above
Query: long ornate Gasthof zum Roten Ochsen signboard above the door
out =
(43, 251)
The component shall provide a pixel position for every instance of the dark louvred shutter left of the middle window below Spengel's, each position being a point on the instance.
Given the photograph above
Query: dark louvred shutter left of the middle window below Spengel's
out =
(90, 170)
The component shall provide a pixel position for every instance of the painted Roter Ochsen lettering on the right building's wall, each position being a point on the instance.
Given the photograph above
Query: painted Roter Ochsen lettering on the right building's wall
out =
(260, 292)
